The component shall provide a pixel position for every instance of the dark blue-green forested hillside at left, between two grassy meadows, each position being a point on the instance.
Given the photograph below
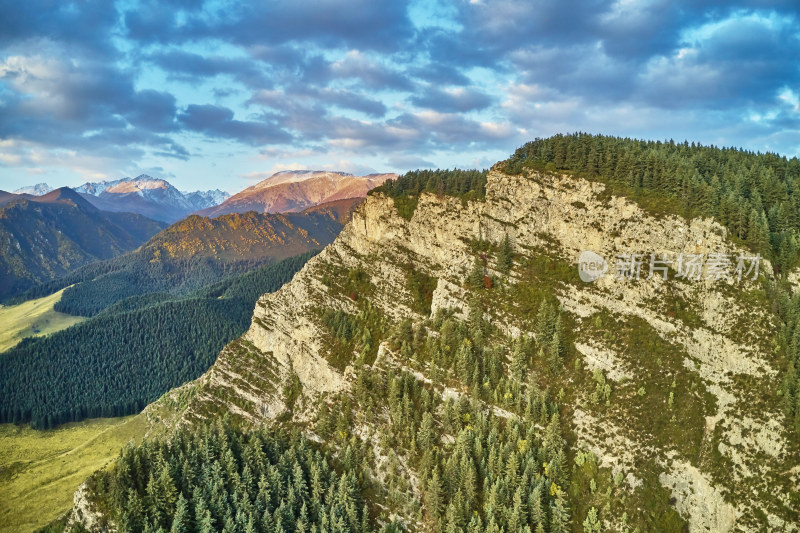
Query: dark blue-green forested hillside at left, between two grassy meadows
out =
(129, 355)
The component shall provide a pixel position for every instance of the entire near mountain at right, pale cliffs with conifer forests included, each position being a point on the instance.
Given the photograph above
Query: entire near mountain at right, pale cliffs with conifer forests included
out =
(445, 357)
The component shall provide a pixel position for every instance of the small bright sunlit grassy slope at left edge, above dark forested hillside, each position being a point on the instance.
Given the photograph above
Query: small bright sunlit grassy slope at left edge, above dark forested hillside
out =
(32, 318)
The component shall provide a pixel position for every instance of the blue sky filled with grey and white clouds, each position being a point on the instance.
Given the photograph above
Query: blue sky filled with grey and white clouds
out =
(221, 94)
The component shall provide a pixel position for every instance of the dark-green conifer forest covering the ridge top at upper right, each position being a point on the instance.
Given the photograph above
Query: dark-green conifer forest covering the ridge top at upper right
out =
(756, 196)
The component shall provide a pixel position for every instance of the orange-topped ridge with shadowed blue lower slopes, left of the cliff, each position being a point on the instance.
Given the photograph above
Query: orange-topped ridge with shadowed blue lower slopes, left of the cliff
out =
(197, 252)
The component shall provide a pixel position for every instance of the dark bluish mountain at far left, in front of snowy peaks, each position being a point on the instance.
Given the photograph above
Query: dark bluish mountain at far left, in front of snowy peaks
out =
(44, 237)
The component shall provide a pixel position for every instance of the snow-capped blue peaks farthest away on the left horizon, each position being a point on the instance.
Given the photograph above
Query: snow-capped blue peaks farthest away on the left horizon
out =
(152, 197)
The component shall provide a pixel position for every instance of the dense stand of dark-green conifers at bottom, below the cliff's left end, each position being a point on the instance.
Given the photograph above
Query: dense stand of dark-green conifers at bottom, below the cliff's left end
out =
(217, 478)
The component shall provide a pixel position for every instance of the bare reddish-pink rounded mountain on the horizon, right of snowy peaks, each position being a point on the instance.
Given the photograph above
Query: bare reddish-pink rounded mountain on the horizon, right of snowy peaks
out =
(296, 190)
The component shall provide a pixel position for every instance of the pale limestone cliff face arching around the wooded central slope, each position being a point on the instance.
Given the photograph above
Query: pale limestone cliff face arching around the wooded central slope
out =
(692, 365)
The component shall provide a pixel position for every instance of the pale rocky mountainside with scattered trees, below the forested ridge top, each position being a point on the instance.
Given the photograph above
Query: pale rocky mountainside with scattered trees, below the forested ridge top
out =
(666, 390)
